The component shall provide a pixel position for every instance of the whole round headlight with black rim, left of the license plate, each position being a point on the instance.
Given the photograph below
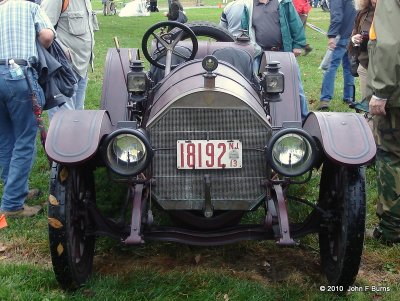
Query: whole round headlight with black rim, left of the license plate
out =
(127, 152)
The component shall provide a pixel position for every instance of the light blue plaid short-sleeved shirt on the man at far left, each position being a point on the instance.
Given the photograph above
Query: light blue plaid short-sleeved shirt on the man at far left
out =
(20, 22)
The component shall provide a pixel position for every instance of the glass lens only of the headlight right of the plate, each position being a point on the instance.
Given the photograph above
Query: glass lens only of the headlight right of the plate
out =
(291, 154)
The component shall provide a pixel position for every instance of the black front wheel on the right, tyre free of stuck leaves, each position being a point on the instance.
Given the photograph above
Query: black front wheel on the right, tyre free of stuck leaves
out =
(341, 238)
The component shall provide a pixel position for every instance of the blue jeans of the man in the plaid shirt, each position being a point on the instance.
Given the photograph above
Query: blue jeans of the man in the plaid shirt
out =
(18, 130)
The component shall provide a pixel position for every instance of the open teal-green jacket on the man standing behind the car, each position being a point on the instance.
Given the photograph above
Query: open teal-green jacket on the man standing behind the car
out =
(292, 29)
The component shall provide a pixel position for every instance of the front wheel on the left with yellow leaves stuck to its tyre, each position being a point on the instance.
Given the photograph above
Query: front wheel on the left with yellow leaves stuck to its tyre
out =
(71, 249)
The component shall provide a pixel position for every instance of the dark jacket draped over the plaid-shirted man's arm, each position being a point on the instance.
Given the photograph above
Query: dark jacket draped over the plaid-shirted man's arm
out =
(56, 76)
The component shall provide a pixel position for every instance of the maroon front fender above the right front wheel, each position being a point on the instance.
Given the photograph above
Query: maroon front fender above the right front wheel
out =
(345, 137)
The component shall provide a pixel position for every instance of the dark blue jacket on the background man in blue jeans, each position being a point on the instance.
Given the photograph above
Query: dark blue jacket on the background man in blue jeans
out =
(343, 14)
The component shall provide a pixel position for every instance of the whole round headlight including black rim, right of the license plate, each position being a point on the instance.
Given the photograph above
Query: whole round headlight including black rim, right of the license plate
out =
(291, 152)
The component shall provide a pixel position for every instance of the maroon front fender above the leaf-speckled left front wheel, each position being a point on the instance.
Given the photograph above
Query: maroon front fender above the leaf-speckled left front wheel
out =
(74, 136)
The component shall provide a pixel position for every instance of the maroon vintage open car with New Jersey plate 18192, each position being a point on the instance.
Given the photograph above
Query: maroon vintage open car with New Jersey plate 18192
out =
(204, 139)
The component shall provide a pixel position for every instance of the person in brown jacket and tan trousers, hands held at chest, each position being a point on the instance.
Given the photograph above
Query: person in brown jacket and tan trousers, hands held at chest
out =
(359, 40)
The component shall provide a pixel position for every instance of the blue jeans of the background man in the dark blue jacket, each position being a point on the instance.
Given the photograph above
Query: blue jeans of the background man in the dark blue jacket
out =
(339, 55)
